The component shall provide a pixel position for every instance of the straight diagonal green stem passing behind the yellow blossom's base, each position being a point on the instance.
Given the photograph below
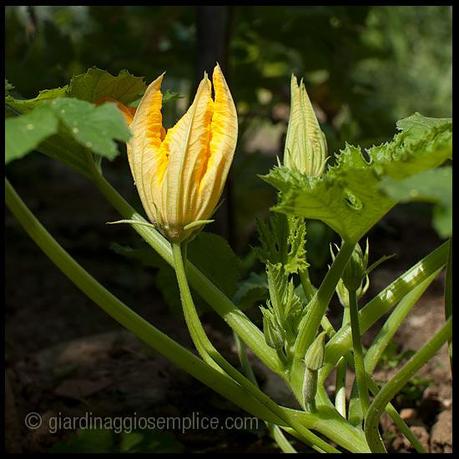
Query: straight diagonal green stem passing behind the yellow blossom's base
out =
(233, 316)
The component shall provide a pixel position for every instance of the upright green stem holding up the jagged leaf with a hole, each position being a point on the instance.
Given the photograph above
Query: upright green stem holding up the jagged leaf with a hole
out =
(316, 310)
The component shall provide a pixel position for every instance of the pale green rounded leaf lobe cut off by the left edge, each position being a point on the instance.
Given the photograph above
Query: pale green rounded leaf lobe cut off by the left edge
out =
(24, 133)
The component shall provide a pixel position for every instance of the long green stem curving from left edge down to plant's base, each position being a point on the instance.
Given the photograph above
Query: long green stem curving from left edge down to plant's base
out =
(146, 332)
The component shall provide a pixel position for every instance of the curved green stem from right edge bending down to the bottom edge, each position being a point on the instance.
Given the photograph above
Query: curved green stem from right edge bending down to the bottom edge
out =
(396, 383)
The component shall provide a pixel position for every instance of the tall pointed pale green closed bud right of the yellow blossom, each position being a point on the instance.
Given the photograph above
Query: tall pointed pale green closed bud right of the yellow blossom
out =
(305, 144)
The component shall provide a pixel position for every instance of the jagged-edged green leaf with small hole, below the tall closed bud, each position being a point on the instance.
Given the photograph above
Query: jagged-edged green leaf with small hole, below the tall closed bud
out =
(348, 196)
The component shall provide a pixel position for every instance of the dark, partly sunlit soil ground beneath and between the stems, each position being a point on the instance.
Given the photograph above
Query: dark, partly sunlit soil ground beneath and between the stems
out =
(64, 355)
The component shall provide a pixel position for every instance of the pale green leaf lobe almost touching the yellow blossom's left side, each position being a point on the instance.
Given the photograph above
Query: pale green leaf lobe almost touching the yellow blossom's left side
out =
(95, 128)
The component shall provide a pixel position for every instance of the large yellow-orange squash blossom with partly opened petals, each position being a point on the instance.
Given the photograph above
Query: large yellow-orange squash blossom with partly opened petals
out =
(180, 173)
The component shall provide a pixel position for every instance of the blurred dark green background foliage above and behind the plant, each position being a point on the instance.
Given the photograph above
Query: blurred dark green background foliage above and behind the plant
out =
(364, 66)
